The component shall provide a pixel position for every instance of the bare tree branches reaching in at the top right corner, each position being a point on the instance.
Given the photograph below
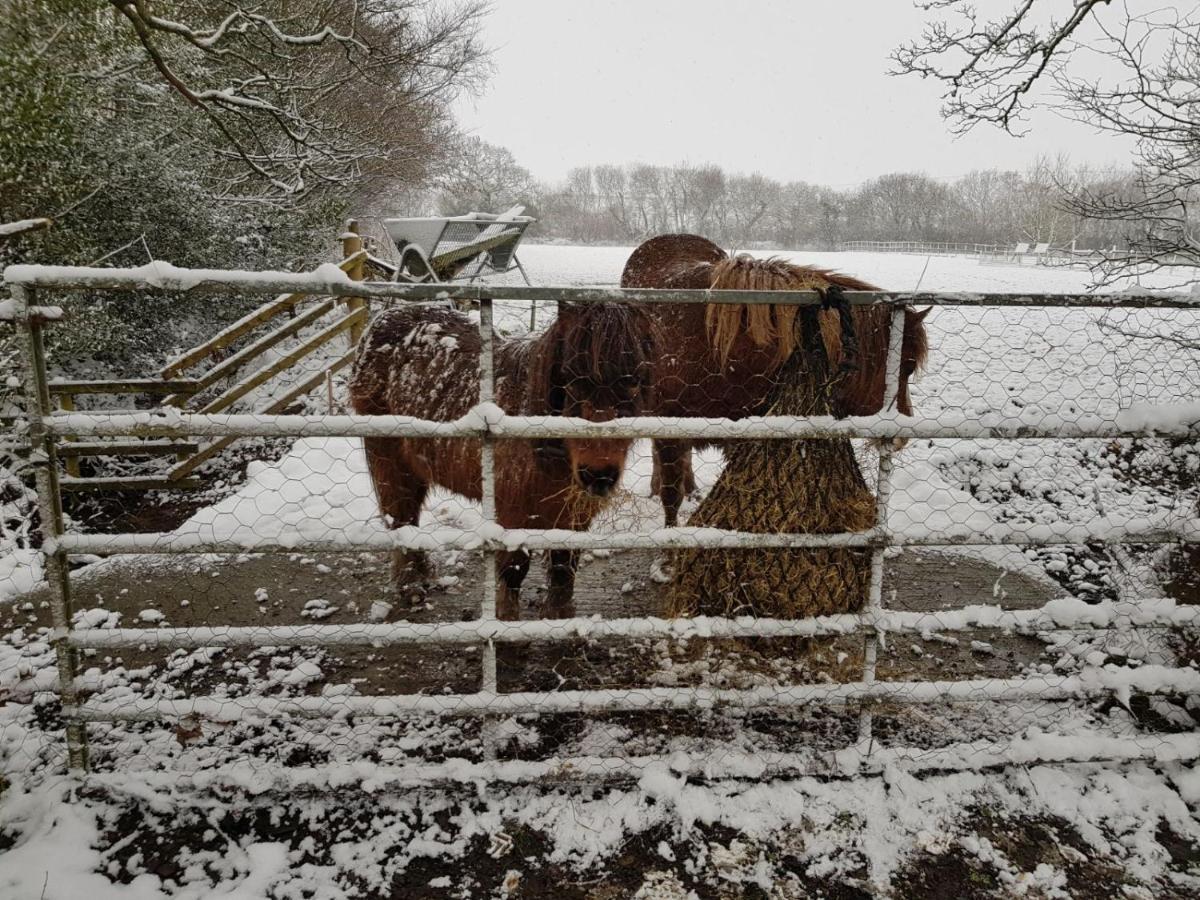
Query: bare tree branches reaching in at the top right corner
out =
(998, 70)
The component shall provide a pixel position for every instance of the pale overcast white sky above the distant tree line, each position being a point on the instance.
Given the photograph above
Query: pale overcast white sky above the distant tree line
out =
(795, 91)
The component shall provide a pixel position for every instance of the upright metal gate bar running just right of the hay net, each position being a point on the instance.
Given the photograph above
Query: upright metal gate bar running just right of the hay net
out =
(883, 499)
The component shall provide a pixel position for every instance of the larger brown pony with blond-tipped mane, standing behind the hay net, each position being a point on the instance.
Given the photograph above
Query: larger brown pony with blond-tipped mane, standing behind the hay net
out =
(721, 361)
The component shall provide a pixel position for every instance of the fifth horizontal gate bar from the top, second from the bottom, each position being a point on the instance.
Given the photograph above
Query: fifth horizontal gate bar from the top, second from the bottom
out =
(1093, 682)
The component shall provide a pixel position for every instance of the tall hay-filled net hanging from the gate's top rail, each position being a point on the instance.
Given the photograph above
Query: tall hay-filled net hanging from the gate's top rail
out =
(782, 487)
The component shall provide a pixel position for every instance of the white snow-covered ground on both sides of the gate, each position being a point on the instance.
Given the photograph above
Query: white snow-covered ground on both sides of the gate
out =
(1061, 362)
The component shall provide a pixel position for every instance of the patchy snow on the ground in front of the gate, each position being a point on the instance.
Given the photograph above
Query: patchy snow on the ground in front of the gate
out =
(1117, 814)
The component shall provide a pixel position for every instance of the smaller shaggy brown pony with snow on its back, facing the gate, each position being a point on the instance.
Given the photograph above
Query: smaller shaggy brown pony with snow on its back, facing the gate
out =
(595, 362)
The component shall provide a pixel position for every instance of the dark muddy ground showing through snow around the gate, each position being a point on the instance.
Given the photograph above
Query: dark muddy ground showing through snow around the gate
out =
(658, 865)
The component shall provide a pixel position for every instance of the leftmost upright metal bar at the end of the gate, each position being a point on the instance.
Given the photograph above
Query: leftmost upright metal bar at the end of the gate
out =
(50, 507)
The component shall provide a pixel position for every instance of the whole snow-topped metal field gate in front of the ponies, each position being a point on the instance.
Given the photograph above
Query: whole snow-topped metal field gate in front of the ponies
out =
(45, 429)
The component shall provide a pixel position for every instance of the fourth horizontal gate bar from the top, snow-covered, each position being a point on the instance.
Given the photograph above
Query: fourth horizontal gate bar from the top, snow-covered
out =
(1057, 616)
